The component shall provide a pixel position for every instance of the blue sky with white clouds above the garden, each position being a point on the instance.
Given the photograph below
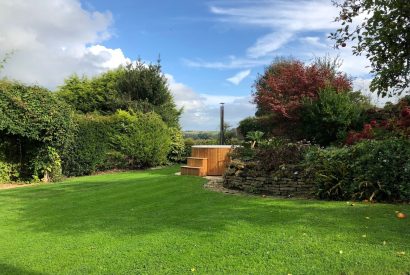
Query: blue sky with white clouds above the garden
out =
(211, 51)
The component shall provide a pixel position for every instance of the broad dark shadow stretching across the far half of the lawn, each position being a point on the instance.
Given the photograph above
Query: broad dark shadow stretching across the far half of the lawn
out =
(159, 201)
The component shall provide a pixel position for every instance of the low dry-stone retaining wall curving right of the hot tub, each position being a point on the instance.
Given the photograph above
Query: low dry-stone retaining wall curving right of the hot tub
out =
(288, 181)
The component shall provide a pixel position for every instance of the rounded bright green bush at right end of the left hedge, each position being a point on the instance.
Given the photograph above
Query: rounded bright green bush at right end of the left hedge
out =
(143, 138)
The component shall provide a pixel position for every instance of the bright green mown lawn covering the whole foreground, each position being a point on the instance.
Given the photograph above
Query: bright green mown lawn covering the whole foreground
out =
(153, 222)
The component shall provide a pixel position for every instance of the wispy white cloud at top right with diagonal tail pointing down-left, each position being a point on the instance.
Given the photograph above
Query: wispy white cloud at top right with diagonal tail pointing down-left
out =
(283, 18)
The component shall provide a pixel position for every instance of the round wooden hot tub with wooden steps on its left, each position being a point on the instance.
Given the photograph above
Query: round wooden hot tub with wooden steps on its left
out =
(207, 160)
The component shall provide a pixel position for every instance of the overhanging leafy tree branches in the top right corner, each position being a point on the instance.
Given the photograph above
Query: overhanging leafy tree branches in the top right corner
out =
(383, 36)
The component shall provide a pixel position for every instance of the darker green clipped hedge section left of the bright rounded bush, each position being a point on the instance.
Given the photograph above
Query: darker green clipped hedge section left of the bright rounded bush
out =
(90, 148)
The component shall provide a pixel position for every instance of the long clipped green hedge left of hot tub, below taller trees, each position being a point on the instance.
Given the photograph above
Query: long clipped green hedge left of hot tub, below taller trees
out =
(121, 141)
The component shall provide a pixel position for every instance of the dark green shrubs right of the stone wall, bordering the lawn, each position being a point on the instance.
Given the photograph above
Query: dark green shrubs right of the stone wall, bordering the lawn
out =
(373, 170)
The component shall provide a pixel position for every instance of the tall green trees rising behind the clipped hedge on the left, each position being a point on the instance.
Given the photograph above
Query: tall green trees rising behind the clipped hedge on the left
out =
(138, 87)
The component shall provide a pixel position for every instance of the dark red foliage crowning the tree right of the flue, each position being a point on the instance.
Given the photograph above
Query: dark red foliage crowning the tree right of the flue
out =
(284, 85)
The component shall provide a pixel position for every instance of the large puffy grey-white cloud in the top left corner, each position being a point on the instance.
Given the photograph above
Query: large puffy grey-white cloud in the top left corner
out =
(52, 39)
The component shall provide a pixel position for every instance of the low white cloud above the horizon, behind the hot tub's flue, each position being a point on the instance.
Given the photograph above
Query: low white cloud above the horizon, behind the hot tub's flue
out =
(201, 111)
